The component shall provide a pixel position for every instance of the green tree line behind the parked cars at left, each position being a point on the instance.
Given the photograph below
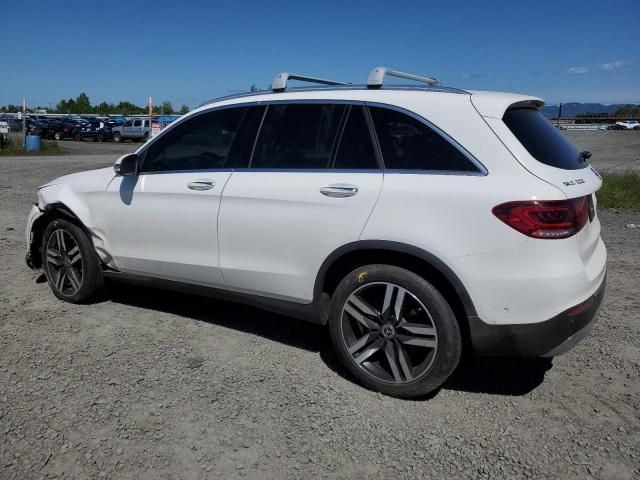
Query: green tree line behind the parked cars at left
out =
(81, 105)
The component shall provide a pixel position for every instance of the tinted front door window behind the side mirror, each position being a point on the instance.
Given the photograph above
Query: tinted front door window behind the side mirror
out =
(199, 143)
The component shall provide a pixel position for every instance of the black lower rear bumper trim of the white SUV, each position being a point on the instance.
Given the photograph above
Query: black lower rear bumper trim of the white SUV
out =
(544, 339)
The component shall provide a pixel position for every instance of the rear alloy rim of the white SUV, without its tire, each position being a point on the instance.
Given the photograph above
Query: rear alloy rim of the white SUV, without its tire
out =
(389, 333)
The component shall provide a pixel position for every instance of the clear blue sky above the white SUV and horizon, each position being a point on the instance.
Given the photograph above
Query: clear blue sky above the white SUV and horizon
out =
(189, 52)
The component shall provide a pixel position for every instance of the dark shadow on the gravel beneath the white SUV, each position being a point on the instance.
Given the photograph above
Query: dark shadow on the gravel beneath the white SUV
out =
(492, 375)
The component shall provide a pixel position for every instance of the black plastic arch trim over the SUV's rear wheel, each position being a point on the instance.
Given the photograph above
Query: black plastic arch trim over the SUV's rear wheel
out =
(364, 252)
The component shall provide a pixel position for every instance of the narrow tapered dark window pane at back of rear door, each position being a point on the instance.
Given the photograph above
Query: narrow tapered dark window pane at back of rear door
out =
(355, 150)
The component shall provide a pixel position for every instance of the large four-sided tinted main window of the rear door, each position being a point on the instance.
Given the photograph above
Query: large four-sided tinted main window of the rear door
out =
(296, 136)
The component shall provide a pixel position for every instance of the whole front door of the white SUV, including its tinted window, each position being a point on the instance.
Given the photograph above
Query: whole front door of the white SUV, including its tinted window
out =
(164, 222)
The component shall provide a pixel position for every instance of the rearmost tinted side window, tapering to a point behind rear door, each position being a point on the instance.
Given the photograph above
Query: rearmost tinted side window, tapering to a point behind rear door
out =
(409, 144)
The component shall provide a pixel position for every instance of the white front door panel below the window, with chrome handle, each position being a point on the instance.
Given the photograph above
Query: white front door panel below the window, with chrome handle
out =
(160, 226)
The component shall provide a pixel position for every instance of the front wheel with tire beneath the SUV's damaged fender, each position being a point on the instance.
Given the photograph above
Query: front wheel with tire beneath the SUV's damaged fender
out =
(73, 268)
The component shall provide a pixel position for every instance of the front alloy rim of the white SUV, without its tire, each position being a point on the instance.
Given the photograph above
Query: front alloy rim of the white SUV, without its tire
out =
(64, 262)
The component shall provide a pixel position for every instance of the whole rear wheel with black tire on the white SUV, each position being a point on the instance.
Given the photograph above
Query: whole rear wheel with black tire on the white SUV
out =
(405, 357)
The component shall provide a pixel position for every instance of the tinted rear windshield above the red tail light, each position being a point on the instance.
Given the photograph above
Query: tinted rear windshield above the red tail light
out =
(542, 140)
